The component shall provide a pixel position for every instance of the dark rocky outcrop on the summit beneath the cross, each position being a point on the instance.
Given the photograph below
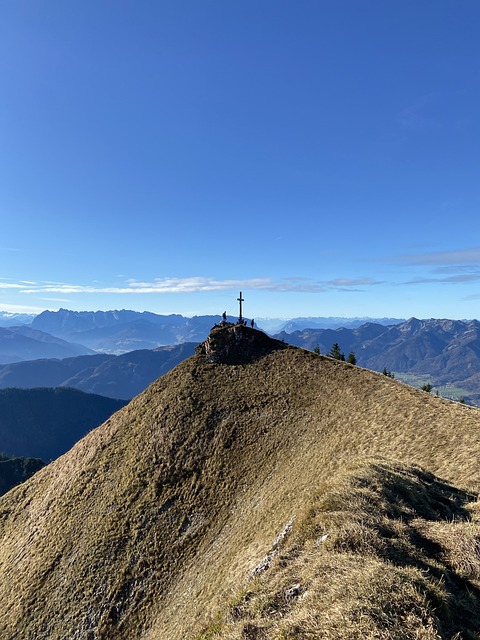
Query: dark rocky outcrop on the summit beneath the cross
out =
(237, 344)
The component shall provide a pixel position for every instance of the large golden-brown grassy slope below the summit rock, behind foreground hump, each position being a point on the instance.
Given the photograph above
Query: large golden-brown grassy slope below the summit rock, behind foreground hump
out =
(153, 521)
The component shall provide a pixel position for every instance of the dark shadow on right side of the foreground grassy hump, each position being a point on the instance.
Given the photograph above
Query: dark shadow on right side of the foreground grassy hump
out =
(416, 496)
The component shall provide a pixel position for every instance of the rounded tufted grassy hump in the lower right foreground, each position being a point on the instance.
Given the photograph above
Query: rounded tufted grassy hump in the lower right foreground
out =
(381, 551)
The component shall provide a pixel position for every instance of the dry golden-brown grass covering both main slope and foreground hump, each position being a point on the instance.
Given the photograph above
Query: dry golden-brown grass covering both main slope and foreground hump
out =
(147, 527)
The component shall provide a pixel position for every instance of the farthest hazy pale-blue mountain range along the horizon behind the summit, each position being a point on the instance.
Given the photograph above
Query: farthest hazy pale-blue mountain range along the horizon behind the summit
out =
(118, 332)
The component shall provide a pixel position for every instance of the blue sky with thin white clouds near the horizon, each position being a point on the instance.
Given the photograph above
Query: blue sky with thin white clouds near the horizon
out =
(322, 156)
